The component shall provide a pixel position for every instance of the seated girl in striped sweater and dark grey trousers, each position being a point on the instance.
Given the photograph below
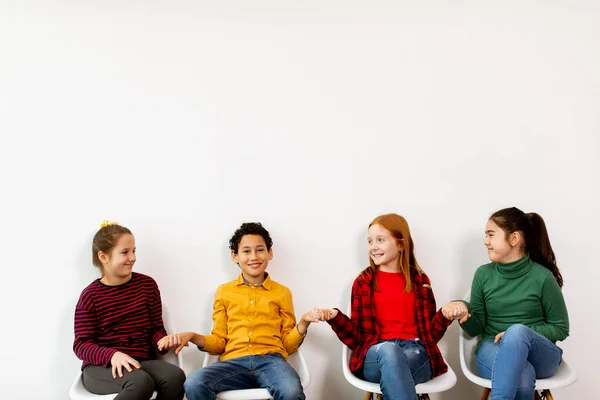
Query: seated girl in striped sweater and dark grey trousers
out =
(119, 327)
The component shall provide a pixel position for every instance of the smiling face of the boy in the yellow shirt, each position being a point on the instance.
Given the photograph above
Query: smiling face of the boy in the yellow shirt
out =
(253, 258)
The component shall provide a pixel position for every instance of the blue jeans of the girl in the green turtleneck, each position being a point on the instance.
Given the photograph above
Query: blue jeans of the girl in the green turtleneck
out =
(514, 363)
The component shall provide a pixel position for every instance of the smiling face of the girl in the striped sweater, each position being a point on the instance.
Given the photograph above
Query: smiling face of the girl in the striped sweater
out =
(118, 263)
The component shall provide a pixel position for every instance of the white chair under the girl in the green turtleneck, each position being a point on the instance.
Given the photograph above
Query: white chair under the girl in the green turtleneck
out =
(563, 377)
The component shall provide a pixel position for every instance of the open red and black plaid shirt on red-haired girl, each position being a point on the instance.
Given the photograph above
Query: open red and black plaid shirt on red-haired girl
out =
(361, 331)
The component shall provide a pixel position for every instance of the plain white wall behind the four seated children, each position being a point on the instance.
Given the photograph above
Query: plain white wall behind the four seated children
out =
(181, 120)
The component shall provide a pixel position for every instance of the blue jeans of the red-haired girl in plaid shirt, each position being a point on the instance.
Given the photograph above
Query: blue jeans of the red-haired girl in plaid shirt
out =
(397, 365)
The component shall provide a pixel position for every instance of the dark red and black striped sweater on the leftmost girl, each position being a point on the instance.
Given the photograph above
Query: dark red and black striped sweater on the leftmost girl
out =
(125, 318)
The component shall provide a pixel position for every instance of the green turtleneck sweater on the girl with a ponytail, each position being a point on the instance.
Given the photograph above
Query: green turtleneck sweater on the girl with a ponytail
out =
(521, 292)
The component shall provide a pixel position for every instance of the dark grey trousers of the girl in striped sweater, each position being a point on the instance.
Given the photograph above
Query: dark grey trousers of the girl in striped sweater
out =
(167, 379)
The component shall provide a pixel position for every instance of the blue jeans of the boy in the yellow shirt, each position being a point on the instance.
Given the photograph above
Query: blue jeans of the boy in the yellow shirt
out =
(270, 371)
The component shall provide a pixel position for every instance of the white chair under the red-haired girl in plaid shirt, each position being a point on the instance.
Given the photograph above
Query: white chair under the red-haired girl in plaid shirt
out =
(438, 384)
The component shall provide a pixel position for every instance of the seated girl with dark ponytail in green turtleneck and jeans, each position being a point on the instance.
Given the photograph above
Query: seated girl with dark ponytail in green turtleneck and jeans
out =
(516, 306)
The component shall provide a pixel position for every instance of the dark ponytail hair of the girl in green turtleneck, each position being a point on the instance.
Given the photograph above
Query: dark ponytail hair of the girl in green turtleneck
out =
(535, 235)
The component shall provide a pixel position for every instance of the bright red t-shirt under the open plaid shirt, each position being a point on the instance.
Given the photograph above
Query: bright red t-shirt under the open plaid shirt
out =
(394, 308)
